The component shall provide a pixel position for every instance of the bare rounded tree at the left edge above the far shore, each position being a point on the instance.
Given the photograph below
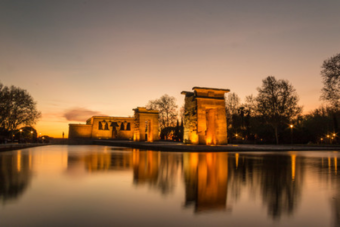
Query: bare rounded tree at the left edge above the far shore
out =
(17, 107)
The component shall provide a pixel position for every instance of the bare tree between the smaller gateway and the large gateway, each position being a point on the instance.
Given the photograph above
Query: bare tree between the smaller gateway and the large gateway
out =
(166, 105)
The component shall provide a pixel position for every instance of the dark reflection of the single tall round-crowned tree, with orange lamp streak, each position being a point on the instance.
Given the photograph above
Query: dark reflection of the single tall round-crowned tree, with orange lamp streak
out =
(281, 182)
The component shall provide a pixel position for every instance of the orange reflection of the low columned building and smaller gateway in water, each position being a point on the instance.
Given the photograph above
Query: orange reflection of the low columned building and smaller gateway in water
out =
(156, 169)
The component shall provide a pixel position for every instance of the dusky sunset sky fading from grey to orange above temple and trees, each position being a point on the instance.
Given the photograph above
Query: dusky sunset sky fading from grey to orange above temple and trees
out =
(84, 58)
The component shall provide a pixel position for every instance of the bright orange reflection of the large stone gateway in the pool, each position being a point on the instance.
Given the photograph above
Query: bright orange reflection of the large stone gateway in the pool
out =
(206, 180)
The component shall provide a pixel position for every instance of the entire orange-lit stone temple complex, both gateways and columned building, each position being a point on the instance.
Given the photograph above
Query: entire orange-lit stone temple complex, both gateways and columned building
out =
(204, 121)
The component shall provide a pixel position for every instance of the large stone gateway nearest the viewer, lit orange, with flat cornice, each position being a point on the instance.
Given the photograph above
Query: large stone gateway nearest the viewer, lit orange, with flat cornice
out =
(205, 119)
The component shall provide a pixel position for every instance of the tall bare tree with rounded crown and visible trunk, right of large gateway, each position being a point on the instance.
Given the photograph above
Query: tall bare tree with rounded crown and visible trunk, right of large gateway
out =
(277, 102)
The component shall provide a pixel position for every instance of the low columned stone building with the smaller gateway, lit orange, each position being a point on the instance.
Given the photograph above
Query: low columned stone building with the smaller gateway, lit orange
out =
(142, 127)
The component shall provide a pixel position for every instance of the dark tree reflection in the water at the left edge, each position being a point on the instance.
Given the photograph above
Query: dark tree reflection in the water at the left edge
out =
(15, 174)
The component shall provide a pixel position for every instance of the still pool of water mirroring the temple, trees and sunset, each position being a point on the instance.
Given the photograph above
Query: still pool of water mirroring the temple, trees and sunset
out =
(111, 186)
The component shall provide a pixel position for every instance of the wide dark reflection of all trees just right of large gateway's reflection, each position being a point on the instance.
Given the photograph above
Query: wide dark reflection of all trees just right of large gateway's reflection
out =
(277, 178)
